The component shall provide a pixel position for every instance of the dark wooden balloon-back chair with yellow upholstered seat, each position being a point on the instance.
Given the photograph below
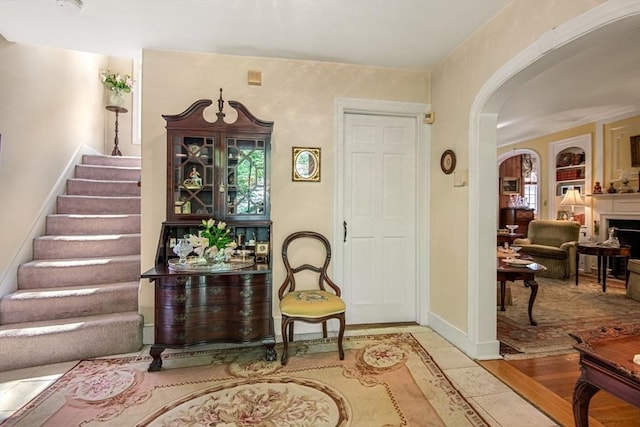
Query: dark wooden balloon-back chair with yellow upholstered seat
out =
(311, 305)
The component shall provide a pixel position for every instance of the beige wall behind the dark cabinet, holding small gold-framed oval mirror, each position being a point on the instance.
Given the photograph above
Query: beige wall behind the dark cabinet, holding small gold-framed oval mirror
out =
(298, 96)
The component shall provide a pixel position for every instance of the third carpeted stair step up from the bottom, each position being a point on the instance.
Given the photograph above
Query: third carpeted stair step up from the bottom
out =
(75, 272)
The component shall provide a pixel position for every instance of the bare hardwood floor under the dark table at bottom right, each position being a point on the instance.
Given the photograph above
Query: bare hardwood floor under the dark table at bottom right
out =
(548, 383)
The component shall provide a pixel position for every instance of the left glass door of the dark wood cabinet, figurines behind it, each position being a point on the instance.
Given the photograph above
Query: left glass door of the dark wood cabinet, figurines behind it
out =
(193, 175)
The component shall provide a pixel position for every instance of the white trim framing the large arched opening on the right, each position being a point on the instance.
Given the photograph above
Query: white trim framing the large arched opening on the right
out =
(481, 311)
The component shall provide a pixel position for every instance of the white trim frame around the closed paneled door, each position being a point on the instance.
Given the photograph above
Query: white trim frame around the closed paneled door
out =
(344, 106)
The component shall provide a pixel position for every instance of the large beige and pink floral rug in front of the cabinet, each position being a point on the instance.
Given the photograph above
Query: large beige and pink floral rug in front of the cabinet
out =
(384, 380)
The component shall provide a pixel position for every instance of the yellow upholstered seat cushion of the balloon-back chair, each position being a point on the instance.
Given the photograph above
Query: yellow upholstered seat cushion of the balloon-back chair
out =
(311, 304)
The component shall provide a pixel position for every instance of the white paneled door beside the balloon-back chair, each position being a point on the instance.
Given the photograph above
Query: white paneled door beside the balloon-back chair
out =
(379, 218)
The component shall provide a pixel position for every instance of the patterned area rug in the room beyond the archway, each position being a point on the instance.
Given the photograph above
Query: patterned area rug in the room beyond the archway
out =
(561, 308)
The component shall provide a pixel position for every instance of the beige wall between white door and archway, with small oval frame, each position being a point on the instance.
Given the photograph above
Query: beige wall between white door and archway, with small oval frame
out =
(455, 83)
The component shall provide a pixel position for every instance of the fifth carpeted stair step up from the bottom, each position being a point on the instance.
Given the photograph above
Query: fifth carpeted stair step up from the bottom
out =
(69, 224)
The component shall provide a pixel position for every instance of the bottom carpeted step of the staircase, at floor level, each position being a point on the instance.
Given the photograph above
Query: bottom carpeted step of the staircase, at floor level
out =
(40, 343)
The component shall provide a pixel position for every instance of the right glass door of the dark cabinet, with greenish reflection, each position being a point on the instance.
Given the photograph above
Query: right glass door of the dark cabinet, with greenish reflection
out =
(246, 177)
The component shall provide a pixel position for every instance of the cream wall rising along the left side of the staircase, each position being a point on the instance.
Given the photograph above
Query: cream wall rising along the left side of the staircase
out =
(50, 105)
